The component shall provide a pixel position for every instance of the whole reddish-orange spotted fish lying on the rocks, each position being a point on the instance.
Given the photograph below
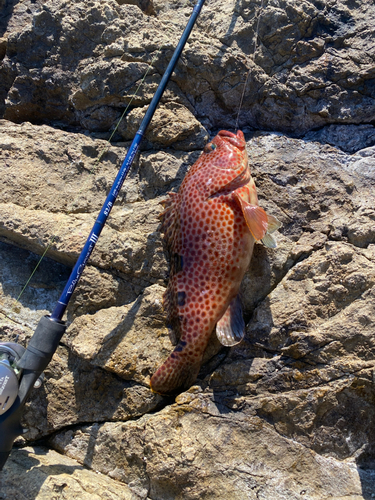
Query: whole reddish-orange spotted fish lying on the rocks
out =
(210, 227)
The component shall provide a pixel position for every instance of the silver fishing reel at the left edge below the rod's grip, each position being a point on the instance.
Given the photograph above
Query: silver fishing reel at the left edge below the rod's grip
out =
(11, 373)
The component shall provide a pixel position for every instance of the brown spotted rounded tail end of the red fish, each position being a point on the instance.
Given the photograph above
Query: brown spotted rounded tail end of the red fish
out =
(177, 373)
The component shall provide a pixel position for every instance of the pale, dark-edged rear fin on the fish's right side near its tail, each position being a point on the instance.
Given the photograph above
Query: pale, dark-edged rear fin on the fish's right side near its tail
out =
(230, 329)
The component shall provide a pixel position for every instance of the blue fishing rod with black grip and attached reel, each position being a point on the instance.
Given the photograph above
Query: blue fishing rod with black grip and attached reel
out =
(22, 369)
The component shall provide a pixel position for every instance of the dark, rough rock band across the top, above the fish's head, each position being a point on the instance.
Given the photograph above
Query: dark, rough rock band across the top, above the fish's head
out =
(81, 63)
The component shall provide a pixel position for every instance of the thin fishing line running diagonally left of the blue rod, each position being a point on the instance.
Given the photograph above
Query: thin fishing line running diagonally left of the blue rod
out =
(93, 170)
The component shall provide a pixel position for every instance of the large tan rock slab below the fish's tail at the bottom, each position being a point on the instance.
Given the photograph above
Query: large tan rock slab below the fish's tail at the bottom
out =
(198, 448)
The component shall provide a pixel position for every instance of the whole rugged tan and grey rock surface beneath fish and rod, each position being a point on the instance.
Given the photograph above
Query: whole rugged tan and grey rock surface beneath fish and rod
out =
(289, 413)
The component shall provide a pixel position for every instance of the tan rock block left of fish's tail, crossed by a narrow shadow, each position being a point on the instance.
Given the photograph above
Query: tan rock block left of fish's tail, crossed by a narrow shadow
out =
(115, 338)
